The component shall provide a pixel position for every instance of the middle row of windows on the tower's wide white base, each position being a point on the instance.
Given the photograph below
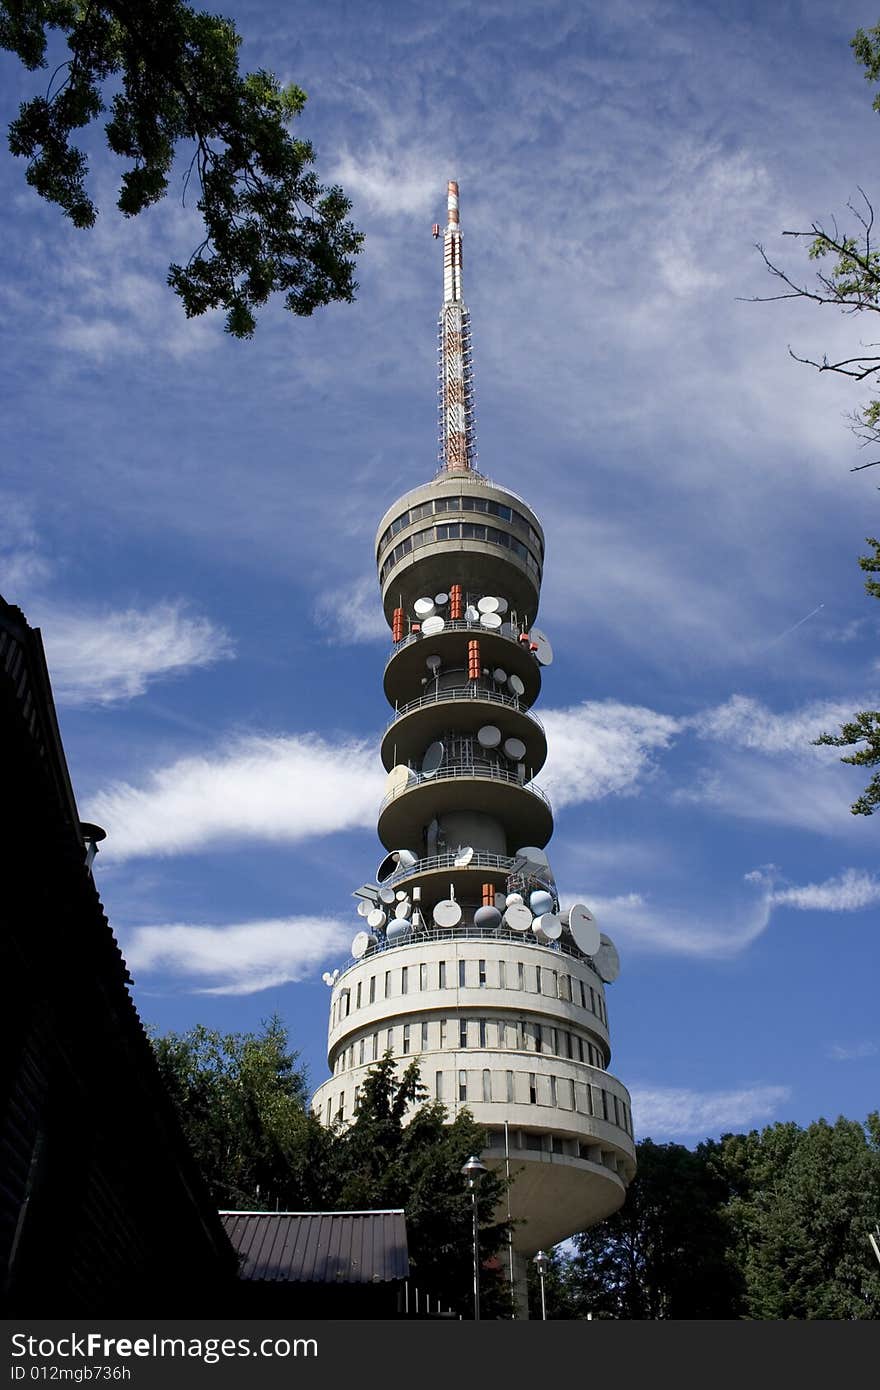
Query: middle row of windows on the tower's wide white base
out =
(508, 1035)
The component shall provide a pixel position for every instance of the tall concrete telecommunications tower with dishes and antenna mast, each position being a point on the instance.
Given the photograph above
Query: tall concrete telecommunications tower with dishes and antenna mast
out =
(465, 958)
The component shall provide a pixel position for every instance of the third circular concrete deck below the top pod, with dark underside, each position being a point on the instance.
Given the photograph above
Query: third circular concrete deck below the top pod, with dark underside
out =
(521, 808)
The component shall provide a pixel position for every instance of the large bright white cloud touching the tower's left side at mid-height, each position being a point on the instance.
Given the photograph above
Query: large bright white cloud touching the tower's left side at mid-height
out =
(272, 789)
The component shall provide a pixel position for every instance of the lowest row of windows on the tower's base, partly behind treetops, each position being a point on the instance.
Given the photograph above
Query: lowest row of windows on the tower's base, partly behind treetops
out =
(519, 1089)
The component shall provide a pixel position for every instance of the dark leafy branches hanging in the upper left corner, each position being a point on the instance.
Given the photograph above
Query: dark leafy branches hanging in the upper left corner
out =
(169, 76)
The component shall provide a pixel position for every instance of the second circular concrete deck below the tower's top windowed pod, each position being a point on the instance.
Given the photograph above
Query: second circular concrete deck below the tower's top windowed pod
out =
(468, 710)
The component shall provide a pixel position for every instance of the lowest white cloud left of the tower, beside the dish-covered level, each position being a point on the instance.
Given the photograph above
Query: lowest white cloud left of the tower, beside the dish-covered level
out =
(241, 958)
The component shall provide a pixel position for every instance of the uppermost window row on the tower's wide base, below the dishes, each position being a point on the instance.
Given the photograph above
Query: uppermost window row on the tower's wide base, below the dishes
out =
(471, 975)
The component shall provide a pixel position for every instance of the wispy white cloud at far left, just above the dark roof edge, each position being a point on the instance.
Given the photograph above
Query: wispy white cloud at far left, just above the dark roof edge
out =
(101, 658)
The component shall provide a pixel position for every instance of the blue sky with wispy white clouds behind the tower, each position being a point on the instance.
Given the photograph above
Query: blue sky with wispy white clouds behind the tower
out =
(191, 519)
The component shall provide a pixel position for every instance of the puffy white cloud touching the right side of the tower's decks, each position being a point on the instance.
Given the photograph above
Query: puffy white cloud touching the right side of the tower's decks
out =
(600, 749)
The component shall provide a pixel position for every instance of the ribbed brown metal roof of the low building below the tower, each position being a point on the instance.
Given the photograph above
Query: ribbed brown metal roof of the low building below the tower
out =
(320, 1248)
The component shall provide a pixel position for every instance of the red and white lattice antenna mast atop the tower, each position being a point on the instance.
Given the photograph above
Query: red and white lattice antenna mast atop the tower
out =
(457, 398)
